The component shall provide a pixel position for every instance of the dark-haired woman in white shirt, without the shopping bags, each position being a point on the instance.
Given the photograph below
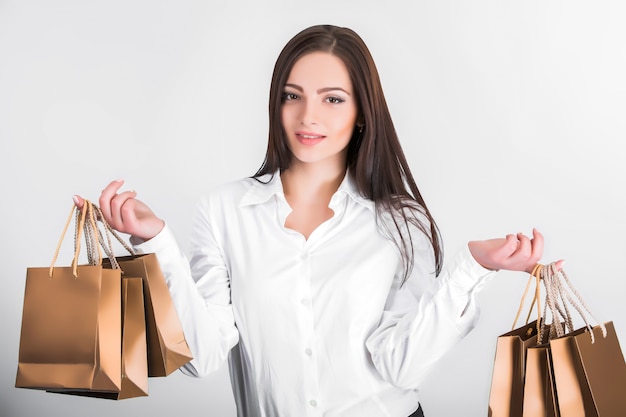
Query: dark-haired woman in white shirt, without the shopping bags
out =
(315, 277)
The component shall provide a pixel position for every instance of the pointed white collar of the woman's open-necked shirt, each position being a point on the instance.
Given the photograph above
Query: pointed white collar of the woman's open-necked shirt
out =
(270, 185)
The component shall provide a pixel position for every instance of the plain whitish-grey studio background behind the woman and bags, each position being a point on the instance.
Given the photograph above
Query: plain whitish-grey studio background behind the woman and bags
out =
(511, 113)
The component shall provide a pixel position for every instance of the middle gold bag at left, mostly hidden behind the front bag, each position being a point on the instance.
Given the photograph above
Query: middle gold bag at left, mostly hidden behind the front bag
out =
(134, 369)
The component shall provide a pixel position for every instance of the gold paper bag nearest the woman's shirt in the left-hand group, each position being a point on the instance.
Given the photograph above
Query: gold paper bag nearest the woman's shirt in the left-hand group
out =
(167, 348)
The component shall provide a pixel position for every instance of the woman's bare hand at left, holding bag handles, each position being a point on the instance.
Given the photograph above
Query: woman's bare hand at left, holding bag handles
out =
(125, 213)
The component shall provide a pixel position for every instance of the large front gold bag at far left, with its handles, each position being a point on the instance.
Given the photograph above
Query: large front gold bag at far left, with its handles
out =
(71, 334)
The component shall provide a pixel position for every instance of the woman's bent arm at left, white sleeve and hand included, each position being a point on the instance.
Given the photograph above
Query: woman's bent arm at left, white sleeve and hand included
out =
(202, 299)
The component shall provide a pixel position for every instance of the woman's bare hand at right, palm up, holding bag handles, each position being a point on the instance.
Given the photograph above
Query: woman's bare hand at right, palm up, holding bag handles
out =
(513, 253)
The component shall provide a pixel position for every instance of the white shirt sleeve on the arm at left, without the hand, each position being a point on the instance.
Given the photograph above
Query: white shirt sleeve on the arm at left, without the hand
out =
(200, 291)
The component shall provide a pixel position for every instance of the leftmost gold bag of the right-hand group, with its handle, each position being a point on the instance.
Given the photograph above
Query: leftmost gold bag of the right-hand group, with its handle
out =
(506, 395)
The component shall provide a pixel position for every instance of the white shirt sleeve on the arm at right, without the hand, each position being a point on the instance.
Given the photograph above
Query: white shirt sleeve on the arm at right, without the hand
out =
(423, 322)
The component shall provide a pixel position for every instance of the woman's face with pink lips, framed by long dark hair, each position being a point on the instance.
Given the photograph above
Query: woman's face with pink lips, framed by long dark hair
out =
(319, 109)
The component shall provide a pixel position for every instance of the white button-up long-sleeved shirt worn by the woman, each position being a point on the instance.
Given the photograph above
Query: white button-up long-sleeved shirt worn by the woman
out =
(318, 326)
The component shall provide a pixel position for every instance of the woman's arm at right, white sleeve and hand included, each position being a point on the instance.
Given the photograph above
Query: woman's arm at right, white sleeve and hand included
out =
(417, 328)
